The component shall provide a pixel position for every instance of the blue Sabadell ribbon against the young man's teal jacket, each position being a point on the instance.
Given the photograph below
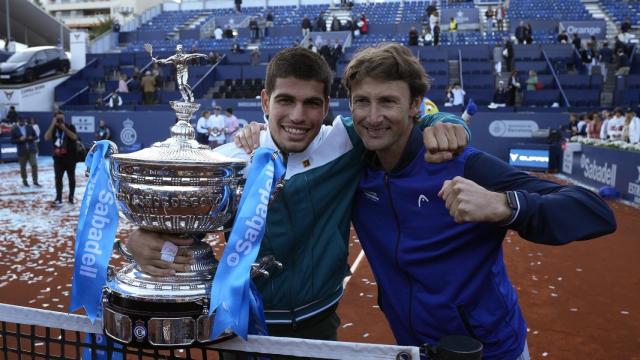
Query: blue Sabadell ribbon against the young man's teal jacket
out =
(234, 298)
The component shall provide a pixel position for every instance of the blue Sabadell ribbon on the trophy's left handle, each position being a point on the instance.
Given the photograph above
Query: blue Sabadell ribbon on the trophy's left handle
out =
(97, 226)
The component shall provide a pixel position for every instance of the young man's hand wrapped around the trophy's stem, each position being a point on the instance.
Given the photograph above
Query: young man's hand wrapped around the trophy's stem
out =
(145, 246)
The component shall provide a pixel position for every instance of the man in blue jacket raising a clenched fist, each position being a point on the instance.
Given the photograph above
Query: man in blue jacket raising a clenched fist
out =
(433, 232)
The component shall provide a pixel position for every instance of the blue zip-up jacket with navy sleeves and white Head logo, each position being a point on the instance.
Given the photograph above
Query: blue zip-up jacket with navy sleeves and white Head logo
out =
(437, 277)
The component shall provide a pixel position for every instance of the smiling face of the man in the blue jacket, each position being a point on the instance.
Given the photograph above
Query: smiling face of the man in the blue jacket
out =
(383, 113)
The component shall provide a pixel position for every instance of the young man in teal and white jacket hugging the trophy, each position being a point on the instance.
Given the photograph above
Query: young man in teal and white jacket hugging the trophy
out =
(308, 224)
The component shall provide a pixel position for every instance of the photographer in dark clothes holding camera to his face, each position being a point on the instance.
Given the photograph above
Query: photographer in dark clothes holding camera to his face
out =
(63, 136)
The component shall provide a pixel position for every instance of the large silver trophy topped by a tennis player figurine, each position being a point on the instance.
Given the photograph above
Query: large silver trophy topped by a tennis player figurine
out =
(176, 186)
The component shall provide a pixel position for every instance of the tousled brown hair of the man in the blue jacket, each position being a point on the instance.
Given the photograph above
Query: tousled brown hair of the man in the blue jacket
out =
(387, 61)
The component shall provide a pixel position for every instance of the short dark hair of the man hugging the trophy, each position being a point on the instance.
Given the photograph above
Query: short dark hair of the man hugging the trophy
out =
(300, 63)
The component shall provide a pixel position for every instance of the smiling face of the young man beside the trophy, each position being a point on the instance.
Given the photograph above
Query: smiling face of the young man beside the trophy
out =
(296, 109)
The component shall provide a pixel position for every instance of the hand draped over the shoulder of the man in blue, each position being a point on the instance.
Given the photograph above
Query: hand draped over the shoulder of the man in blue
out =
(443, 141)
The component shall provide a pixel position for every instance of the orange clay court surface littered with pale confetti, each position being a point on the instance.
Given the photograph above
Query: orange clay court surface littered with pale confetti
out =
(581, 301)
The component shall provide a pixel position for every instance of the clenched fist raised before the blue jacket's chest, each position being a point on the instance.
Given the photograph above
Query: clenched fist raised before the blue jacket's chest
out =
(470, 202)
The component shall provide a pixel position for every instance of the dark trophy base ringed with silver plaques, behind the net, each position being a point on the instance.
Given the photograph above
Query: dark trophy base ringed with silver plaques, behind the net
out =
(158, 324)
